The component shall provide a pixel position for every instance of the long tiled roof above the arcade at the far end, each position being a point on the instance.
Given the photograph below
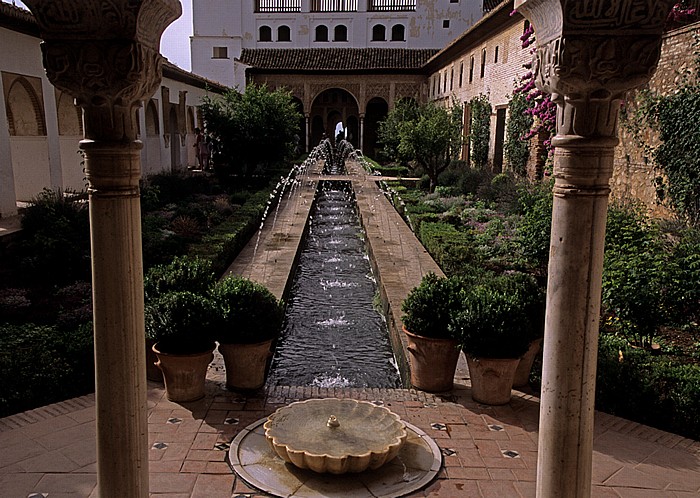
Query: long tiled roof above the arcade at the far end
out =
(336, 59)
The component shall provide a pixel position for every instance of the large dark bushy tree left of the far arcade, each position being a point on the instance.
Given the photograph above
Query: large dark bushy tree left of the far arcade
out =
(256, 127)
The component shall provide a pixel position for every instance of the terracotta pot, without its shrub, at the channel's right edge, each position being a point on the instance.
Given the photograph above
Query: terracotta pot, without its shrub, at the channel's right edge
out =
(433, 362)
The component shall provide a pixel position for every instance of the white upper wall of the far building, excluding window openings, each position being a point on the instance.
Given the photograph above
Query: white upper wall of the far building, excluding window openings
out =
(221, 23)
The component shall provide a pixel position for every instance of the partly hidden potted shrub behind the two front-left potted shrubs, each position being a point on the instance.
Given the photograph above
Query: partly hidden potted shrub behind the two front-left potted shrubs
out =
(184, 273)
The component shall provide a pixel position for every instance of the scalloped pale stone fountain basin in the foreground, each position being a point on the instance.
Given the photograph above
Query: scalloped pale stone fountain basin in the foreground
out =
(335, 436)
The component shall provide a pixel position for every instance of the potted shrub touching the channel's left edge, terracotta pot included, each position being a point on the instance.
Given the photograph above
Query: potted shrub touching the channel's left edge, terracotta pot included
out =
(249, 318)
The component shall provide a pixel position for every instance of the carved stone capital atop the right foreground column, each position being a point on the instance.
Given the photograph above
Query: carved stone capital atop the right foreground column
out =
(589, 53)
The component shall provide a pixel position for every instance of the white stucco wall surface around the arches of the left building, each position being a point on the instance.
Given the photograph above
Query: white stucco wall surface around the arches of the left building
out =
(30, 163)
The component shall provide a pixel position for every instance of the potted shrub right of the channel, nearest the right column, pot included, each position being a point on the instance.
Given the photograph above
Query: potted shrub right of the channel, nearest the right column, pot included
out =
(495, 328)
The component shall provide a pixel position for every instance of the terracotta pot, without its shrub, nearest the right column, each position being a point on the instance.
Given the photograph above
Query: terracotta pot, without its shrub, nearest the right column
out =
(492, 379)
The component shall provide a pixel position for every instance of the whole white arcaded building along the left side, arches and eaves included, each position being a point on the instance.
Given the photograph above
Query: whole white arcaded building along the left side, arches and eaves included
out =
(40, 126)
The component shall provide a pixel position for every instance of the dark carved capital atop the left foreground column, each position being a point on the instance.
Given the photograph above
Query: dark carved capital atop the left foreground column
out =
(106, 54)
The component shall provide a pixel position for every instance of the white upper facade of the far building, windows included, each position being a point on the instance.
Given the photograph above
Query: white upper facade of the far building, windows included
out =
(223, 28)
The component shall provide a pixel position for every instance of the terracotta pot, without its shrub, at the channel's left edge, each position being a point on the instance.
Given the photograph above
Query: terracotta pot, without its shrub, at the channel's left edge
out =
(246, 364)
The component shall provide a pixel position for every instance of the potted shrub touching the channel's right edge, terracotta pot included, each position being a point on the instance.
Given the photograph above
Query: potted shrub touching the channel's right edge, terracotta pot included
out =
(433, 349)
